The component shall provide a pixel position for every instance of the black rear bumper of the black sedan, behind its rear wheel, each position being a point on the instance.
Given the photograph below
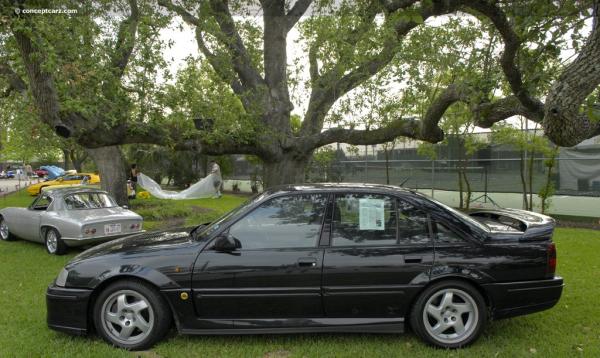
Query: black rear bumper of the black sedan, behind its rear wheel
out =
(511, 299)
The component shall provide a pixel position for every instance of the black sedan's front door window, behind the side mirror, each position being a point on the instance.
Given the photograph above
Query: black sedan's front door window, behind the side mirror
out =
(285, 222)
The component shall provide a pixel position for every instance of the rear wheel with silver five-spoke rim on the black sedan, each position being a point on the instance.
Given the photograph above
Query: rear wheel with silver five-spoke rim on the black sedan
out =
(449, 314)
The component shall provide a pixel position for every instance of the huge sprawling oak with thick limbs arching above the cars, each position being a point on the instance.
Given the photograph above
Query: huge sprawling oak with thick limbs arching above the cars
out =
(349, 43)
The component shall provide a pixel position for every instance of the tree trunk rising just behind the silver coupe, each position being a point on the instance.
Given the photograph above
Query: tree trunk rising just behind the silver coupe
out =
(113, 171)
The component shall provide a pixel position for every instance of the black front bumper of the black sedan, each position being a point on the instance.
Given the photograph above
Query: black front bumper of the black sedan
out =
(68, 309)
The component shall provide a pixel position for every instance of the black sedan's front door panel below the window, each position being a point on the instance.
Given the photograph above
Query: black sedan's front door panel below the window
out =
(258, 284)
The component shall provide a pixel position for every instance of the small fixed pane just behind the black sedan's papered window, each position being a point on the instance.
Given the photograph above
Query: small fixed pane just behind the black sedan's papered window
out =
(413, 225)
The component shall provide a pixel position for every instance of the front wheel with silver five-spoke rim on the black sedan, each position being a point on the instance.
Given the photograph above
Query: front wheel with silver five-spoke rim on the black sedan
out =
(131, 315)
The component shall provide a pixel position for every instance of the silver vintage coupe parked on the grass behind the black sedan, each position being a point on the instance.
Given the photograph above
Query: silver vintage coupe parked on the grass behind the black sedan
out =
(68, 217)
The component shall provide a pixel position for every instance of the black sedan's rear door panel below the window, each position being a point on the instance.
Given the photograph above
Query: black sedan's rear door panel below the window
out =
(374, 281)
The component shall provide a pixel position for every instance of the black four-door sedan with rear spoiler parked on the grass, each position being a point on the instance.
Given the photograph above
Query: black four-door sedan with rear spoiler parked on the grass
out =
(315, 258)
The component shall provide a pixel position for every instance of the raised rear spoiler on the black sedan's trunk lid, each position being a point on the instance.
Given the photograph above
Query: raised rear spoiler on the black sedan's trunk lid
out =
(534, 226)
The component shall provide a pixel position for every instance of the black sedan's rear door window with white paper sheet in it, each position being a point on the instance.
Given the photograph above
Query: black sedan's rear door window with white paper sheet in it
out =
(364, 219)
